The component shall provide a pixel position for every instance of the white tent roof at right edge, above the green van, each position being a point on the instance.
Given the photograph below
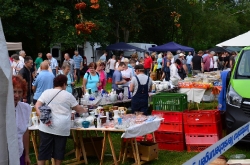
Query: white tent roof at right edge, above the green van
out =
(240, 40)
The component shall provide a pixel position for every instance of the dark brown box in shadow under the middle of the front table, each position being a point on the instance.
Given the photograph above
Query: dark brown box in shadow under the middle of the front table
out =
(89, 146)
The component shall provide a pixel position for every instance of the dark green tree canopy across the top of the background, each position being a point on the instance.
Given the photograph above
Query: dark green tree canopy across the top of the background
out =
(197, 23)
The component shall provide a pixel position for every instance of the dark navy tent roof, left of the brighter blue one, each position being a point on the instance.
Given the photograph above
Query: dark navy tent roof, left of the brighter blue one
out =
(121, 46)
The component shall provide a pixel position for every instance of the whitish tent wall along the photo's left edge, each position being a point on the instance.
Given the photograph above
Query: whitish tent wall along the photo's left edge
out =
(9, 152)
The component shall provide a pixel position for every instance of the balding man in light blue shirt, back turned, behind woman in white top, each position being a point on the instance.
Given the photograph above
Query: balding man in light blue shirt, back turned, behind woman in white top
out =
(43, 81)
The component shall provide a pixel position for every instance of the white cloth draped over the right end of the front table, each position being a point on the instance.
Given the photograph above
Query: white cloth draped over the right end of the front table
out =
(141, 129)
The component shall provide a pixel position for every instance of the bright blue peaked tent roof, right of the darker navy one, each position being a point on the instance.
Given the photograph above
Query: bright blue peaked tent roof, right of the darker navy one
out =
(171, 46)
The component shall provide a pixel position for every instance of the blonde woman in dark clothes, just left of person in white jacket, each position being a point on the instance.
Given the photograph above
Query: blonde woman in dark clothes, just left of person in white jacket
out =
(166, 62)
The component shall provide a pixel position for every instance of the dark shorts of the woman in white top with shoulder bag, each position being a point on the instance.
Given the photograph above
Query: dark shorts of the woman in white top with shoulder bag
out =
(51, 146)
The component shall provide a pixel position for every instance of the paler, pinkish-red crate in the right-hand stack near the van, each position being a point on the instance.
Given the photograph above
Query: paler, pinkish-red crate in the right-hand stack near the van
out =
(201, 138)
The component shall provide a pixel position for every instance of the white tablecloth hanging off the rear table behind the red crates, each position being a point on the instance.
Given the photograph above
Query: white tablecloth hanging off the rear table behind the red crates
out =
(195, 94)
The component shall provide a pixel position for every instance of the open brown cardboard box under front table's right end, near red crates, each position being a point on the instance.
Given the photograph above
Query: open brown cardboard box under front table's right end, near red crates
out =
(147, 150)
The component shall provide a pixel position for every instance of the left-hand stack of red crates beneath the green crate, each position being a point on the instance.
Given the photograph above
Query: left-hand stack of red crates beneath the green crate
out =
(170, 135)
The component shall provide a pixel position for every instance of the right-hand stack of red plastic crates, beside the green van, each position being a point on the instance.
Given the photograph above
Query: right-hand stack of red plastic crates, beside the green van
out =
(202, 129)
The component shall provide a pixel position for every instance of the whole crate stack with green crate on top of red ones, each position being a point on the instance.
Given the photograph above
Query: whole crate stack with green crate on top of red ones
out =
(170, 135)
